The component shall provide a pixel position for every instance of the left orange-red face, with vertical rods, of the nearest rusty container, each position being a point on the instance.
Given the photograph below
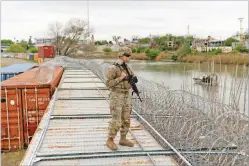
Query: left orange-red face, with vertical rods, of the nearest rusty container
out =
(11, 120)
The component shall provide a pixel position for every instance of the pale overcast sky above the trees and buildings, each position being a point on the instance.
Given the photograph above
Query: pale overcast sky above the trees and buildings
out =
(21, 19)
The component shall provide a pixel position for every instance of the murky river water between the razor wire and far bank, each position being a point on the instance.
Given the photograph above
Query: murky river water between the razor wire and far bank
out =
(180, 76)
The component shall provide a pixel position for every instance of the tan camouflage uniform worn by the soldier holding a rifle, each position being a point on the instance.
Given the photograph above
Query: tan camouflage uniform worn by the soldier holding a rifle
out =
(120, 100)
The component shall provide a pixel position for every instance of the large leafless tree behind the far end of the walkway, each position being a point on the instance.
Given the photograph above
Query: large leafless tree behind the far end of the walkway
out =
(67, 37)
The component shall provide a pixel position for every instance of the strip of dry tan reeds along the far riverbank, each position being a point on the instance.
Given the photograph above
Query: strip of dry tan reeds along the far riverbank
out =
(224, 58)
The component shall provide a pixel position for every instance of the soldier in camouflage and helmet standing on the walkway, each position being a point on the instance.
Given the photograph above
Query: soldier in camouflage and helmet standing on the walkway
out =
(120, 100)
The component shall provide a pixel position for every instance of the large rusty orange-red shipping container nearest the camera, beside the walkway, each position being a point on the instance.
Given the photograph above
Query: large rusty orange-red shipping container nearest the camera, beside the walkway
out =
(33, 99)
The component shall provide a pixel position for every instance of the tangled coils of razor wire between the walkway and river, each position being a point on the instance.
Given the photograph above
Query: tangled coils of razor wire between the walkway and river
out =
(206, 132)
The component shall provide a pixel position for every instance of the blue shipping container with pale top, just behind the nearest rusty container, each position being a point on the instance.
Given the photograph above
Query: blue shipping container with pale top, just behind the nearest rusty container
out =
(13, 70)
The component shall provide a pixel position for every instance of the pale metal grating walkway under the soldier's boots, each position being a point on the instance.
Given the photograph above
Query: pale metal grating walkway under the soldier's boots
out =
(73, 131)
